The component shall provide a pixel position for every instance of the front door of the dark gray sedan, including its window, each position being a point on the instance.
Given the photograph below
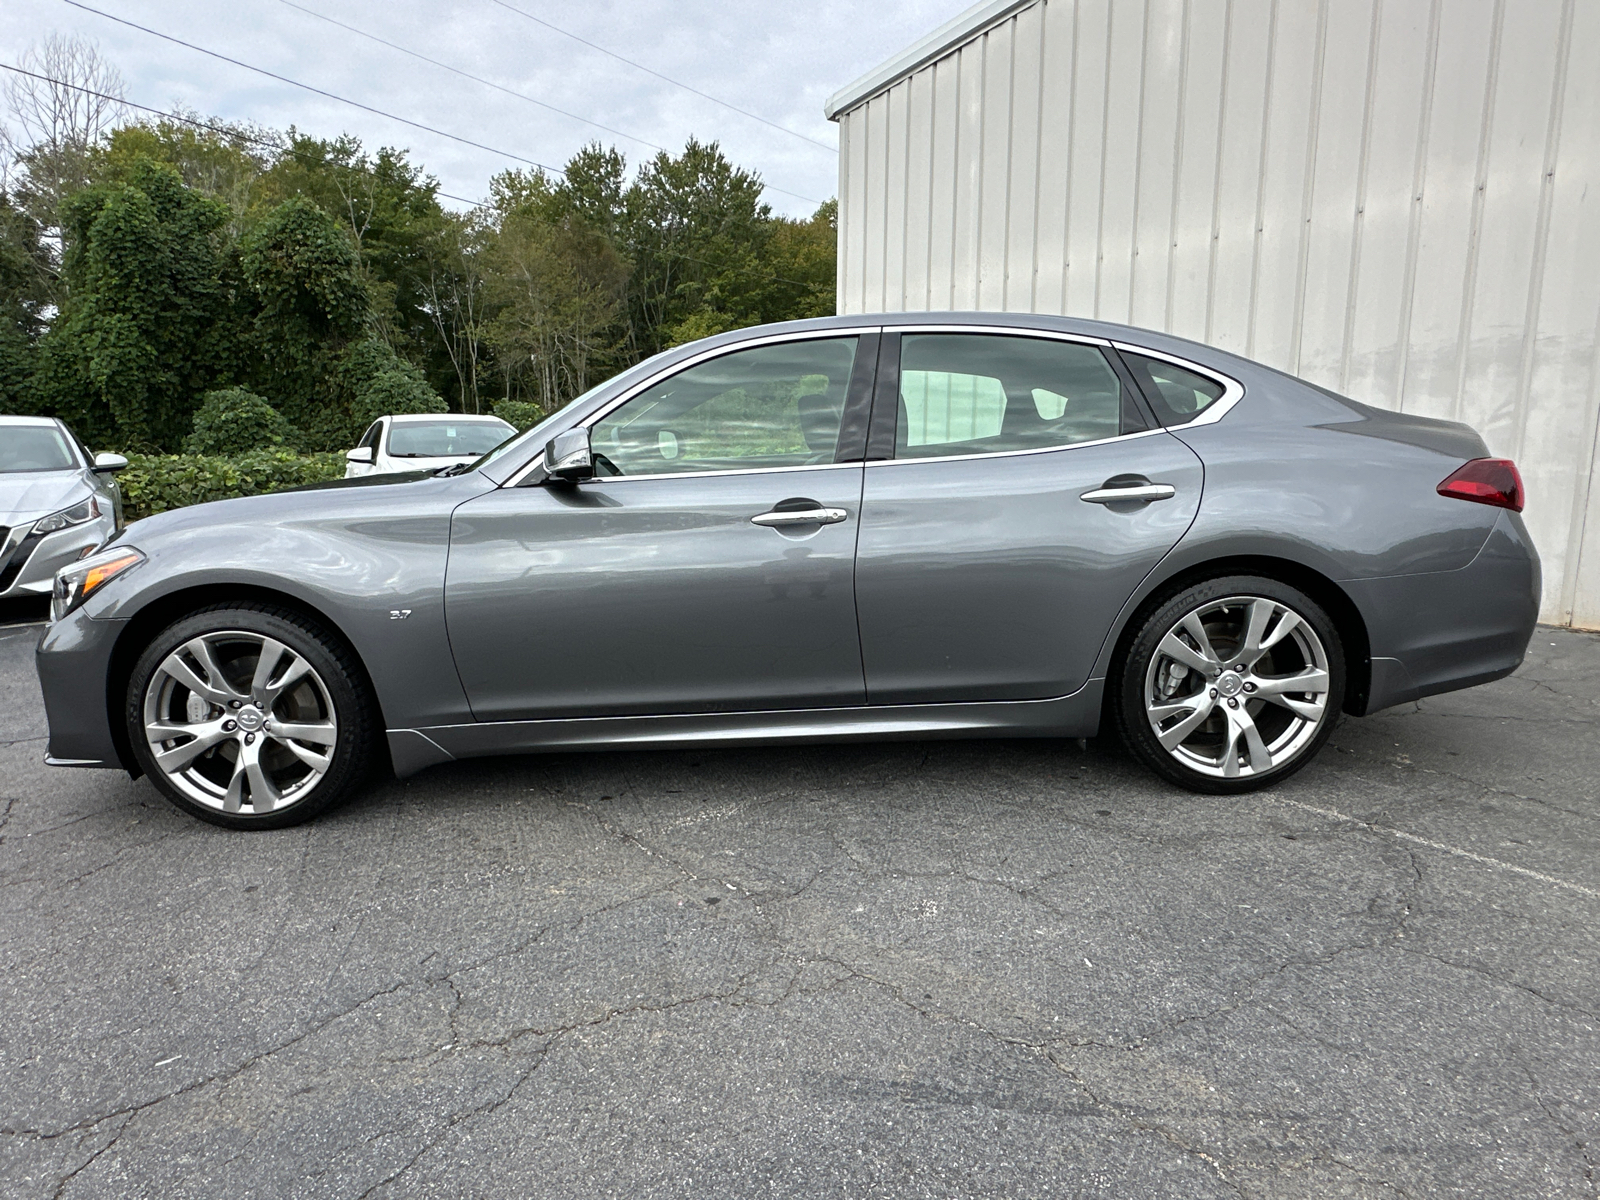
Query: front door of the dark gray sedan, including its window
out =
(706, 569)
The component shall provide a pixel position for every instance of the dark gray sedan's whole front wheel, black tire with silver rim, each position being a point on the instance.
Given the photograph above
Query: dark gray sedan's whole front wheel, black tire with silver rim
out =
(231, 758)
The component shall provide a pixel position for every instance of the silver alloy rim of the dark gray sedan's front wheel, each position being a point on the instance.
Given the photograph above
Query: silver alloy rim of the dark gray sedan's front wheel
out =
(238, 719)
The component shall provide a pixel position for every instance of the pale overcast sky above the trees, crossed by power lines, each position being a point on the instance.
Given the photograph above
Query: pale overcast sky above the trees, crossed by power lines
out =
(774, 58)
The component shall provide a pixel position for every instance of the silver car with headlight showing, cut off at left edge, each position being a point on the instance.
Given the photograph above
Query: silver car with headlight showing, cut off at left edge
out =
(58, 503)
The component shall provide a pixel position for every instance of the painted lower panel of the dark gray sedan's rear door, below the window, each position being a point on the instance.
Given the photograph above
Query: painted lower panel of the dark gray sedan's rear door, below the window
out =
(990, 578)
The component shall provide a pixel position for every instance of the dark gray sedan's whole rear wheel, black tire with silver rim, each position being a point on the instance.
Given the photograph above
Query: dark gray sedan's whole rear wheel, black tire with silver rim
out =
(1186, 713)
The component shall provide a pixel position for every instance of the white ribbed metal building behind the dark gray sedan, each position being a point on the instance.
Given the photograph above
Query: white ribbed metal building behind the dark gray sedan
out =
(1396, 199)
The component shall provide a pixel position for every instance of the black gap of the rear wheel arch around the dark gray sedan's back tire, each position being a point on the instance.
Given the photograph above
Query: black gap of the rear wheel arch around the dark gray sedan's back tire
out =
(1335, 601)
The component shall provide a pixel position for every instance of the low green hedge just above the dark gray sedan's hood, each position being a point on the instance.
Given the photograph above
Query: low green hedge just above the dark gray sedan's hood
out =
(161, 482)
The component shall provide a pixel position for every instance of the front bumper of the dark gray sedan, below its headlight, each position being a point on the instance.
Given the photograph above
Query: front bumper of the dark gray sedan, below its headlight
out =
(74, 665)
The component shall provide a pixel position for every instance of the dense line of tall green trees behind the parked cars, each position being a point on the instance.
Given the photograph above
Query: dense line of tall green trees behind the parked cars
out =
(150, 263)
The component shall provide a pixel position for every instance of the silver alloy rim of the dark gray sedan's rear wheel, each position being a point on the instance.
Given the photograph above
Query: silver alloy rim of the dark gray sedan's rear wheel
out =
(1238, 687)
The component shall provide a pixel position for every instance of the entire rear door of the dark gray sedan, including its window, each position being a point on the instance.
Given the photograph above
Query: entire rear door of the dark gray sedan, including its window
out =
(994, 548)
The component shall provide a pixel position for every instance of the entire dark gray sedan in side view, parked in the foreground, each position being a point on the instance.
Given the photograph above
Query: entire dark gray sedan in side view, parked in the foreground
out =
(918, 526)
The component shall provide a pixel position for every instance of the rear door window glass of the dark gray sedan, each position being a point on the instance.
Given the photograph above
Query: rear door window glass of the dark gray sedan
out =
(982, 394)
